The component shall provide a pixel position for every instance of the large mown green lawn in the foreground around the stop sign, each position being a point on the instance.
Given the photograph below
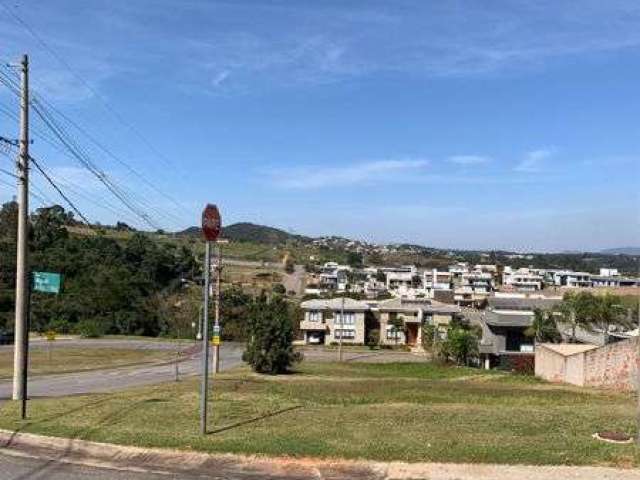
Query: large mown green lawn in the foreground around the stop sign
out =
(409, 412)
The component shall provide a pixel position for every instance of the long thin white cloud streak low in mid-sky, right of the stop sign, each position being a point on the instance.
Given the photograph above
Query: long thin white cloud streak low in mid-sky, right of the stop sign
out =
(356, 174)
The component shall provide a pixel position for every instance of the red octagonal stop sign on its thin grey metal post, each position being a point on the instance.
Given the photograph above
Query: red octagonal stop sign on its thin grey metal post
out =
(211, 226)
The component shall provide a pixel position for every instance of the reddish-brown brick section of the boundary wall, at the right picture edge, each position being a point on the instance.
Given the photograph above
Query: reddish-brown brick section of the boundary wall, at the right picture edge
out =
(613, 366)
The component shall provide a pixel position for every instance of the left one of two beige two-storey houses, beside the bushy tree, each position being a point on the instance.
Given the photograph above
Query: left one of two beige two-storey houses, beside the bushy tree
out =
(326, 321)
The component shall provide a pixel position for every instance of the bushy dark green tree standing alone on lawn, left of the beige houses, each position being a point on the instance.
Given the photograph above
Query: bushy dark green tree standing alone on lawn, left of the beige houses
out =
(270, 343)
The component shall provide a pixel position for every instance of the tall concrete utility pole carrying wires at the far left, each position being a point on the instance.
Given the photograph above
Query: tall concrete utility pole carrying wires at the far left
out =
(22, 274)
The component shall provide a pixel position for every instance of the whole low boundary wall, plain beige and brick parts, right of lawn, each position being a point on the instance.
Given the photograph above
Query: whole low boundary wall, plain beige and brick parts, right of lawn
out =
(613, 366)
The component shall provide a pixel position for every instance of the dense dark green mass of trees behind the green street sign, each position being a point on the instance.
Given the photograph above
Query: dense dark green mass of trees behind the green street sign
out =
(110, 285)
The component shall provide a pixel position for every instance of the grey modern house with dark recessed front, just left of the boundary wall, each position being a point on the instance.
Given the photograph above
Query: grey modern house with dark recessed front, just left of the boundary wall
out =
(504, 323)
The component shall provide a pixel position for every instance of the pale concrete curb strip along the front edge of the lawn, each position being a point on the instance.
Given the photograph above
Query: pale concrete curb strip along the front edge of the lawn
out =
(168, 461)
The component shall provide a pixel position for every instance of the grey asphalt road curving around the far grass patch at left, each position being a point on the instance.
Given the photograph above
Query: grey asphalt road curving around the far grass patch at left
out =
(108, 380)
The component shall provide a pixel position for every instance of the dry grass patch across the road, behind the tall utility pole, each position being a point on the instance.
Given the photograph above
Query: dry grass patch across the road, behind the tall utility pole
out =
(63, 359)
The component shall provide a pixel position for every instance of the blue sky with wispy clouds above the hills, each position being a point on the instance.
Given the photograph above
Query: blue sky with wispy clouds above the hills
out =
(454, 124)
